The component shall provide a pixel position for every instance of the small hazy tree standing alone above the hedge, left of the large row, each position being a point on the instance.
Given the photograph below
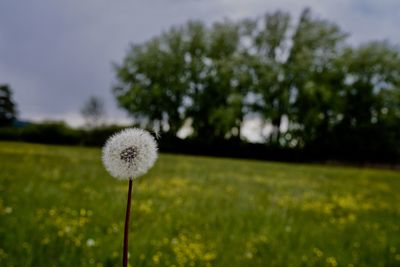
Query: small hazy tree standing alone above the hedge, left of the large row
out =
(93, 111)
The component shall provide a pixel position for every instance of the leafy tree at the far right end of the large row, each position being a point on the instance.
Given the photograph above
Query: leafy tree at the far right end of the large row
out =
(370, 103)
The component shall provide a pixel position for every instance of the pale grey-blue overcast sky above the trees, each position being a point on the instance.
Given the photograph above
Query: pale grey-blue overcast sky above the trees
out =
(55, 54)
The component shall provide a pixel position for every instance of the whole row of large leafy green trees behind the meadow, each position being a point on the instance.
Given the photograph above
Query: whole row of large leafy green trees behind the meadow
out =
(302, 74)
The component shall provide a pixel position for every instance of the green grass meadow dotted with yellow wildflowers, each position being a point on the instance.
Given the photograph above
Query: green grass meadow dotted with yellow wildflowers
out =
(59, 207)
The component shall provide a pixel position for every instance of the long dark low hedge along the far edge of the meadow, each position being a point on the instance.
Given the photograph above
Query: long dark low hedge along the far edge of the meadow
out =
(352, 149)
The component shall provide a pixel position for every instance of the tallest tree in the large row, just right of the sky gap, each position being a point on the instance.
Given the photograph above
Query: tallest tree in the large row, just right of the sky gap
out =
(315, 76)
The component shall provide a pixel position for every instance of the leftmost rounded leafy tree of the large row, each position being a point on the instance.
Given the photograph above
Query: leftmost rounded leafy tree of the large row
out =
(151, 82)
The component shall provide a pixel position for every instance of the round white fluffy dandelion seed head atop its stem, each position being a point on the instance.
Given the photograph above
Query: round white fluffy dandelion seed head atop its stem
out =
(129, 153)
